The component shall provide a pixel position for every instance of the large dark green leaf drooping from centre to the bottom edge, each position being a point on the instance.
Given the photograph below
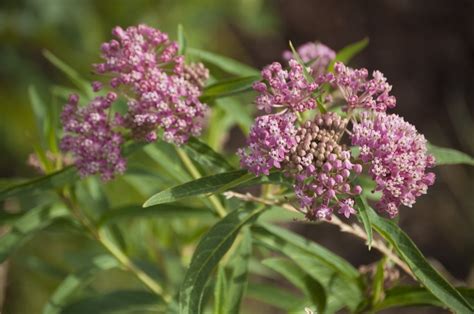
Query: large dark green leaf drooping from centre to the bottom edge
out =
(212, 247)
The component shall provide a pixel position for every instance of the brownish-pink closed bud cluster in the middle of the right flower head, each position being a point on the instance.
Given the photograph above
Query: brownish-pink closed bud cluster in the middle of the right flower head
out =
(322, 168)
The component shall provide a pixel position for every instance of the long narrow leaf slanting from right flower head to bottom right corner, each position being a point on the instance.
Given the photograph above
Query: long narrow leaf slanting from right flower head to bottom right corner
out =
(420, 267)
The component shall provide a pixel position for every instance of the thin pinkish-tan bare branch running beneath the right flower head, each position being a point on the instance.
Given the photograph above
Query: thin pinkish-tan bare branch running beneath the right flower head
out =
(353, 229)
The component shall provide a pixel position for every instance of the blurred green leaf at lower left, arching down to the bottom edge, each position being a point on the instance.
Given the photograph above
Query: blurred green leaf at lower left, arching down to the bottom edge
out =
(73, 283)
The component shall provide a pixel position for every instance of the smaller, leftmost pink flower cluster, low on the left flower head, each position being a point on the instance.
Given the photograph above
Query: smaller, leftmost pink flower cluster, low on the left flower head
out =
(90, 136)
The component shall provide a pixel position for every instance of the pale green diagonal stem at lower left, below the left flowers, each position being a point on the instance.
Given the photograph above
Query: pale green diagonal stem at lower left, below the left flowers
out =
(123, 259)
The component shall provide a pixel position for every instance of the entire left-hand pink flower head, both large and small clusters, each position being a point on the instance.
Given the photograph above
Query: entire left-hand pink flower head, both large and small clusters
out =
(162, 93)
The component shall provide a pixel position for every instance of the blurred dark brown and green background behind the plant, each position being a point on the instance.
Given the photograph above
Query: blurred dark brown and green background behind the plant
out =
(424, 47)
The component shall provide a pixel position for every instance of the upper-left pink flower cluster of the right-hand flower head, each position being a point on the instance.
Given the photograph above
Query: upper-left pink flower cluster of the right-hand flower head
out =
(285, 89)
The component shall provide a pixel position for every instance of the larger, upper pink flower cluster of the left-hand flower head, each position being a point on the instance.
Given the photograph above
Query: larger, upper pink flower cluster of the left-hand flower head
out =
(146, 62)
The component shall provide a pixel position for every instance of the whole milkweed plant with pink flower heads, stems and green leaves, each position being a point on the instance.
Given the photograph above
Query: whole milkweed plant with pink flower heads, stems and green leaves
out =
(325, 146)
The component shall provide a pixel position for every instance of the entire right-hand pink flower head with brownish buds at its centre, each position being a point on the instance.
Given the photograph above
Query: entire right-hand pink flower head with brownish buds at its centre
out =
(313, 152)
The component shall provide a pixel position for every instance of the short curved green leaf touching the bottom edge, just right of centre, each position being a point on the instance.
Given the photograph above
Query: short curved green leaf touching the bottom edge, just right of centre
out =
(294, 274)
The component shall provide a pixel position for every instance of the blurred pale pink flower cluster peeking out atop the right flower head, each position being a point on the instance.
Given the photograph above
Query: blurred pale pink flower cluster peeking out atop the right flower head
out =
(315, 54)
